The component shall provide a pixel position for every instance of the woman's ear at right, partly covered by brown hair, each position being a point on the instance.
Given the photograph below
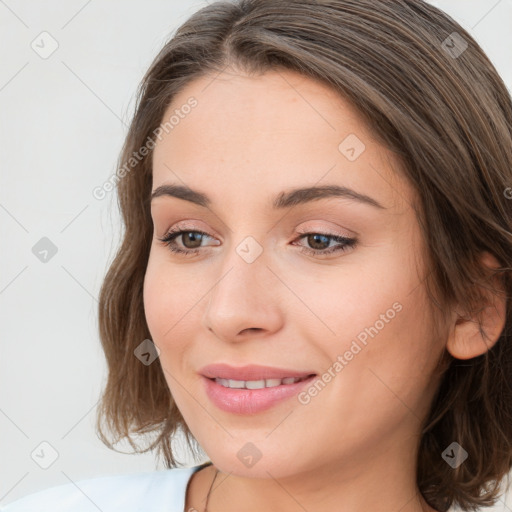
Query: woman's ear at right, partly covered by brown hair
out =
(466, 339)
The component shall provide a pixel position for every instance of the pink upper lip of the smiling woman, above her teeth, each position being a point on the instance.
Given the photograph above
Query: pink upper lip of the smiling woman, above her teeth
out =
(250, 372)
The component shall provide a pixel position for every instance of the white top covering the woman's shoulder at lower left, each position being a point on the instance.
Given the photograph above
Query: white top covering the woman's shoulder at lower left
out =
(157, 490)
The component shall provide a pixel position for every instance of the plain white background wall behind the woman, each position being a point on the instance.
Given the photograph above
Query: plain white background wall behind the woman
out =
(62, 124)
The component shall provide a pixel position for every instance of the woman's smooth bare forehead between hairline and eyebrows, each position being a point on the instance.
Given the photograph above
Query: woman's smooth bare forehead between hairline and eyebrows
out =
(260, 134)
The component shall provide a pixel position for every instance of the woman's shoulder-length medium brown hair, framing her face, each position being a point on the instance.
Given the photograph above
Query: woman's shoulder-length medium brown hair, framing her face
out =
(447, 116)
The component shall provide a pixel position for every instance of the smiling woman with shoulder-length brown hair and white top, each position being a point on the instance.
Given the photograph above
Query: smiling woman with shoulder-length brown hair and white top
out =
(315, 269)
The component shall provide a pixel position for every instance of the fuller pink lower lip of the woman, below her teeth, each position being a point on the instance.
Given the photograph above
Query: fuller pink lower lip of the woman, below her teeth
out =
(251, 401)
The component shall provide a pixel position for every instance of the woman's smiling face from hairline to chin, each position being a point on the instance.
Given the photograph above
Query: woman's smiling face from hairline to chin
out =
(271, 285)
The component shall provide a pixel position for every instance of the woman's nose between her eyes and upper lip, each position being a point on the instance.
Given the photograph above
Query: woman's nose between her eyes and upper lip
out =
(243, 303)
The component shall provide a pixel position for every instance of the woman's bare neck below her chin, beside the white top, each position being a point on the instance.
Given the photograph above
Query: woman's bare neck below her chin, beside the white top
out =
(384, 481)
